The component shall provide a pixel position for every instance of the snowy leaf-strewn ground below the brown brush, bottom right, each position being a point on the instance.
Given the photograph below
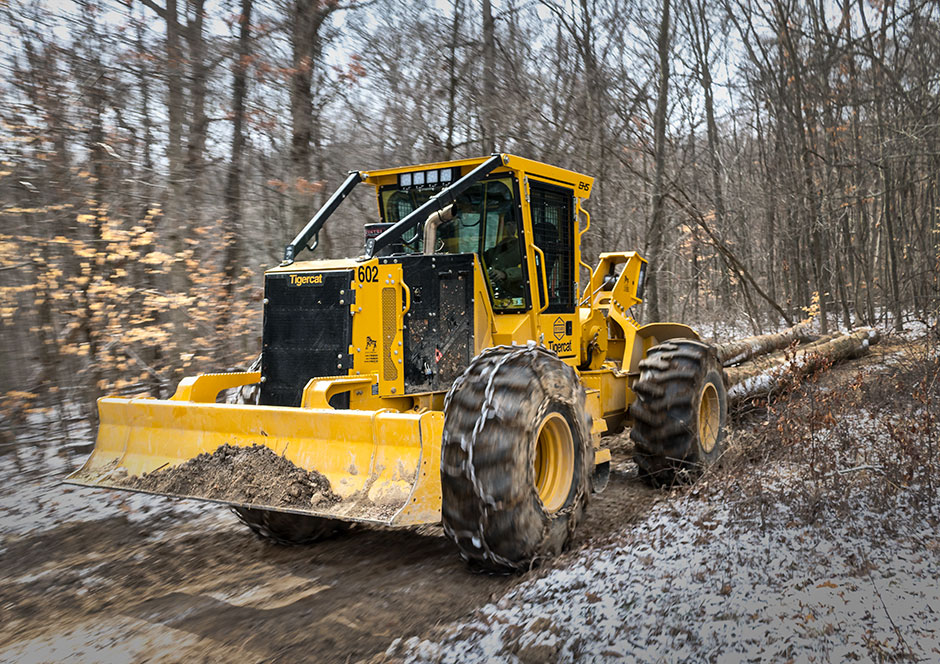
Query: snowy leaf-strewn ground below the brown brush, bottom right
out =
(702, 585)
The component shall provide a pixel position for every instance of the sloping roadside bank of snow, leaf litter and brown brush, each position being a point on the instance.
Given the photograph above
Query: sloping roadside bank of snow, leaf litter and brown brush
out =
(793, 562)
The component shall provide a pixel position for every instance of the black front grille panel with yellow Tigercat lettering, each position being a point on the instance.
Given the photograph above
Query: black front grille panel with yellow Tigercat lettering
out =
(306, 334)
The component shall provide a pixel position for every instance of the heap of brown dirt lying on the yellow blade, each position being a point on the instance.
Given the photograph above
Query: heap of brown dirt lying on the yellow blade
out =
(255, 475)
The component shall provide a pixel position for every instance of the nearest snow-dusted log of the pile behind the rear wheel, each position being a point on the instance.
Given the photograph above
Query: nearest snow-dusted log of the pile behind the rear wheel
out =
(755, 379)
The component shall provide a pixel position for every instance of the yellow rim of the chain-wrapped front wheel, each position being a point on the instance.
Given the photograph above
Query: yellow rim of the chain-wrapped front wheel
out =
(554, 462)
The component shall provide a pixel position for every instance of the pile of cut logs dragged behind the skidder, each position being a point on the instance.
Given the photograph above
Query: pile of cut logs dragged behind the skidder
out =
(755, 366)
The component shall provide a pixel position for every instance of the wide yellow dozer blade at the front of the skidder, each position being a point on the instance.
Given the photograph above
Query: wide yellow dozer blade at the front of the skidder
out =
(384, 466)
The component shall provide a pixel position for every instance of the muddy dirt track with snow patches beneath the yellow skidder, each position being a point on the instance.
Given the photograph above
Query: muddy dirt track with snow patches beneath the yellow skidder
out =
(156, 581)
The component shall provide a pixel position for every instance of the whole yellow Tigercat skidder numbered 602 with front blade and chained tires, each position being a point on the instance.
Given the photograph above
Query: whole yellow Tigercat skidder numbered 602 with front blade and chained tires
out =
(460, 371)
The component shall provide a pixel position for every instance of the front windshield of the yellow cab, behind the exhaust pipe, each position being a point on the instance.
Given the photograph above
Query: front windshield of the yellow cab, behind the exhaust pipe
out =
(484, 223)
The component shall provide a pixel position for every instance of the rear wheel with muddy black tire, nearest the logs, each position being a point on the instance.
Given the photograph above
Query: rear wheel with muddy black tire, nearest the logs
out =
(679, 413)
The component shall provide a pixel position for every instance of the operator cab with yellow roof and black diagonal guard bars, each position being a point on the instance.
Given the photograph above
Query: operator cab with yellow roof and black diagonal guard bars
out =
(517, 216)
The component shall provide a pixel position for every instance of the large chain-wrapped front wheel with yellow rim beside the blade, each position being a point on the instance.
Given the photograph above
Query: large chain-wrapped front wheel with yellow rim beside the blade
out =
(516, 458)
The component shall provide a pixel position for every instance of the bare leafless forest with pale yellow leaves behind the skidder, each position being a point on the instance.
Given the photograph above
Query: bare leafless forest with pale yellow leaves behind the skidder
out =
(770, 158)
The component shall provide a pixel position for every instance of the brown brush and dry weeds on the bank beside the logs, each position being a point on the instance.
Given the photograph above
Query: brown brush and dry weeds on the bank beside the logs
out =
(830, 447)
